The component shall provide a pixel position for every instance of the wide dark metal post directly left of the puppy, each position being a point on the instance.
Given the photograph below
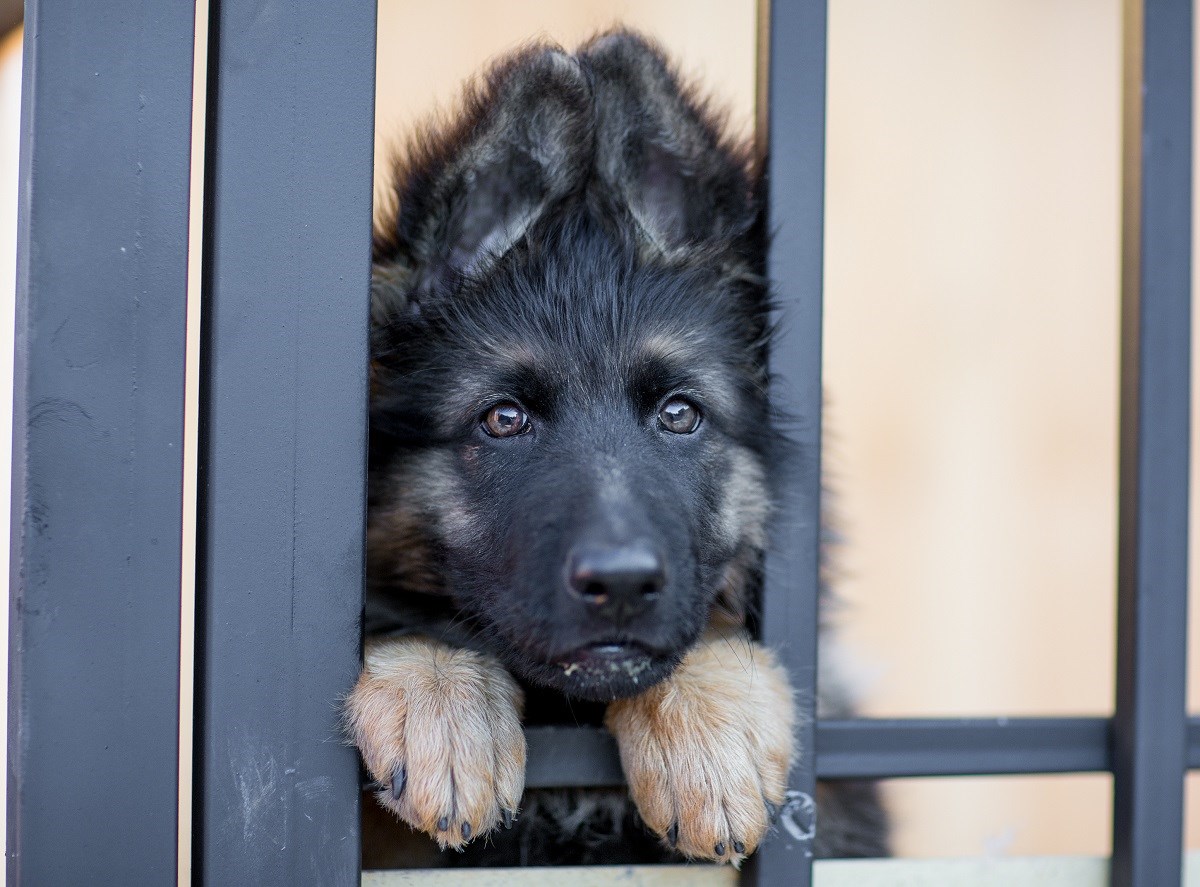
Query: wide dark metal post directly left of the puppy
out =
(284, 439)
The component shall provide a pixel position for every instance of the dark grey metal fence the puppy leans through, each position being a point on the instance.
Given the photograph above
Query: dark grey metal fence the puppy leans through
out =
(99, 435)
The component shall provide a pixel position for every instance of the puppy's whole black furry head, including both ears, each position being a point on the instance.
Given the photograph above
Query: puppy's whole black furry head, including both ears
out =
(569, 418)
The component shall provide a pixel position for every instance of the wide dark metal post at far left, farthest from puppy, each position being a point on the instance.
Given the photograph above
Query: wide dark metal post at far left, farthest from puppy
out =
(98, 443)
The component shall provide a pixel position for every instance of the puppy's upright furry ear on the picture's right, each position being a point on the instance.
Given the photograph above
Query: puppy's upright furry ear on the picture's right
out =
(662, 151)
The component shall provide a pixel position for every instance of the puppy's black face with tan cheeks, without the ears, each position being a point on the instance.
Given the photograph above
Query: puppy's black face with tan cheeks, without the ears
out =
(584, 440)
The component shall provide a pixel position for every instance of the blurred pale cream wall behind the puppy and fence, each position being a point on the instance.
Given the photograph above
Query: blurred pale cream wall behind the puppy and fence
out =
(971, 341)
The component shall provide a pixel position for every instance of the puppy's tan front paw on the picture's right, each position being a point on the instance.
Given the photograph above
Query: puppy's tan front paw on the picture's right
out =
(709, 750)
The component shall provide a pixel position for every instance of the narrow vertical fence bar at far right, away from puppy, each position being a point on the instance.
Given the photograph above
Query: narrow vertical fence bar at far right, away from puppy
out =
(1150, 741)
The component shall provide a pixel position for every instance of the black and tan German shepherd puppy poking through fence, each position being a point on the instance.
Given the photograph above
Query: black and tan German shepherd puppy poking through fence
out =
(572, 463)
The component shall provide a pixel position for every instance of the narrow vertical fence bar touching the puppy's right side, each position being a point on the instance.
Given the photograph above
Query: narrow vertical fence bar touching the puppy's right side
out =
(791, 119)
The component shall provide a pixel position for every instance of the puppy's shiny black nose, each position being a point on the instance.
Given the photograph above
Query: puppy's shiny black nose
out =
(617, 583)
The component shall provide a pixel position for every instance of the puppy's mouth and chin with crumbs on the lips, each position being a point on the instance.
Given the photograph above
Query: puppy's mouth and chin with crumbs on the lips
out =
(601, 673)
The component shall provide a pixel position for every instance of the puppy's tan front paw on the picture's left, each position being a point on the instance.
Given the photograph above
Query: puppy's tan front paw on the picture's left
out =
(440, 729)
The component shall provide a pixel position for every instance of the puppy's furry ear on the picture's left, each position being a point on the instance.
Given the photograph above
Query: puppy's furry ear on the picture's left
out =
(466, 193)
